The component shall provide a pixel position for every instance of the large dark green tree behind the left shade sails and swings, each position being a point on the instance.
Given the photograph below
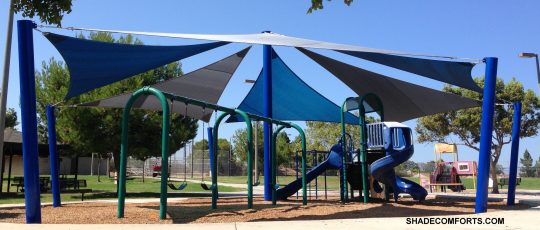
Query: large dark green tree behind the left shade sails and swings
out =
(97, 130)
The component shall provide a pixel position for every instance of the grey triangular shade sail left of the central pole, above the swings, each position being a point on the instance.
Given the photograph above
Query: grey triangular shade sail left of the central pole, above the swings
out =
(206, 84)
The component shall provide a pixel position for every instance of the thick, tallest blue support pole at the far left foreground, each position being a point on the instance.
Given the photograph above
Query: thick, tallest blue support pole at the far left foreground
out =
(29, 121)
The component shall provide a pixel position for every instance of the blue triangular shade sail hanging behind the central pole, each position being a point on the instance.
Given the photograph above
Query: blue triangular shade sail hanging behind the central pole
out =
(292, 98)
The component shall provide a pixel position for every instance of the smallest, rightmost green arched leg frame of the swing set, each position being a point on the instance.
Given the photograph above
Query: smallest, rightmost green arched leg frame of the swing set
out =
(274, 161)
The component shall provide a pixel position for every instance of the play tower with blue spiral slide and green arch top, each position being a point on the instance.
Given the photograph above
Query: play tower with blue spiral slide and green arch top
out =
(383, 146)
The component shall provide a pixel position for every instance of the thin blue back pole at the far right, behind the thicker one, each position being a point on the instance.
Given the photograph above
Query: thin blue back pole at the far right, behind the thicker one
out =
(514, 154)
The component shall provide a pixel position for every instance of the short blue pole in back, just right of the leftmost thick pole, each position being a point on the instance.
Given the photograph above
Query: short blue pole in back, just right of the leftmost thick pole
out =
(53, 156)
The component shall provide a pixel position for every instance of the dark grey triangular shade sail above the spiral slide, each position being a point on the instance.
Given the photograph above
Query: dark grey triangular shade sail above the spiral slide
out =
(401, 100)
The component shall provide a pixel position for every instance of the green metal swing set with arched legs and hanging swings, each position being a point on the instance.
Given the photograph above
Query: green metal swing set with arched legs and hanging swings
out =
(213, 146)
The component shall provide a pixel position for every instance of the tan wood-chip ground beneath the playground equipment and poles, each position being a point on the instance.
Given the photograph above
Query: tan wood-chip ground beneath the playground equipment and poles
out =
(197, 210)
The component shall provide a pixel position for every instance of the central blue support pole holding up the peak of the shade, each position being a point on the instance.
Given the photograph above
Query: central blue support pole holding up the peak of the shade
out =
(267, 103)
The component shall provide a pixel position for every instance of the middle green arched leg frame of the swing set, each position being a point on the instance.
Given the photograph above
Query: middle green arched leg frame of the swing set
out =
(249, 156)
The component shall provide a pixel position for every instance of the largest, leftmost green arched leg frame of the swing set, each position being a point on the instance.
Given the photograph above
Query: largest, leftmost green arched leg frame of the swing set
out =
(164, 150)
